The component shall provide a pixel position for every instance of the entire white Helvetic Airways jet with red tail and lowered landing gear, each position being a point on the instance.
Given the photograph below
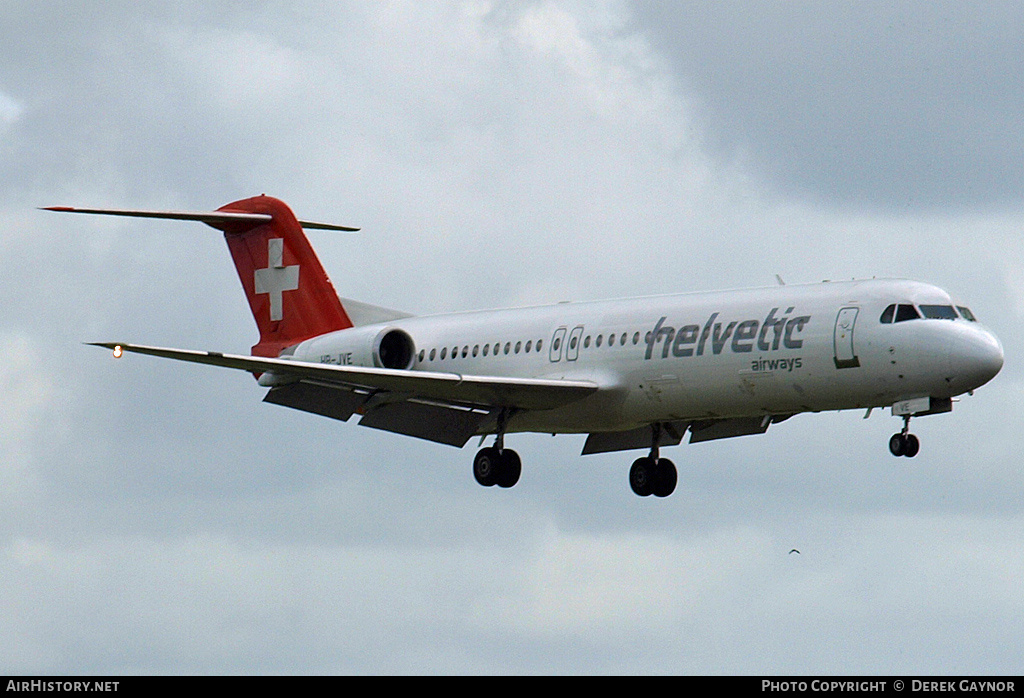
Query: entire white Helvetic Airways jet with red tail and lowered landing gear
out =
(631, 374)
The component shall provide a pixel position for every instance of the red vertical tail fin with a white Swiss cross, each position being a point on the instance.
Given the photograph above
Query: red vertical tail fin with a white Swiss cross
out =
(290, 295)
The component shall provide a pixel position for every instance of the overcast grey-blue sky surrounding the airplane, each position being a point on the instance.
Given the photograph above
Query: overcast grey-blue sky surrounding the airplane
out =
(157, 518)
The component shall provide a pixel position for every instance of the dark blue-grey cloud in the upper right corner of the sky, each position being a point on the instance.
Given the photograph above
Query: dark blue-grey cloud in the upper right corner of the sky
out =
(900, 106)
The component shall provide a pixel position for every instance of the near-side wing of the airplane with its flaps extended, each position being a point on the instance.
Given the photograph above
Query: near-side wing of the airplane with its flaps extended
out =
(439, 407)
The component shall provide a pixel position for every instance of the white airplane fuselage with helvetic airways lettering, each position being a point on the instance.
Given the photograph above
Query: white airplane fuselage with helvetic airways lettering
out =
(774, 352)
